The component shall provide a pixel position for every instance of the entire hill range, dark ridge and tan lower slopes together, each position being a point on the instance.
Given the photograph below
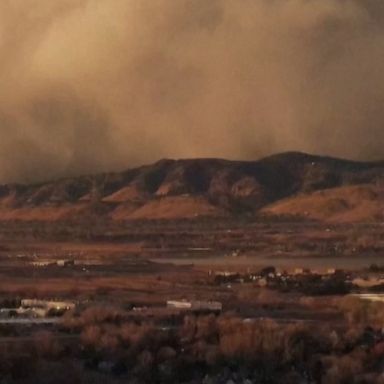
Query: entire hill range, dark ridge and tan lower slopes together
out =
(286, 184)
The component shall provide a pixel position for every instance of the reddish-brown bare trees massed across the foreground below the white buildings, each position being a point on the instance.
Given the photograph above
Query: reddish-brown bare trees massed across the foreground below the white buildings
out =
(100, 346)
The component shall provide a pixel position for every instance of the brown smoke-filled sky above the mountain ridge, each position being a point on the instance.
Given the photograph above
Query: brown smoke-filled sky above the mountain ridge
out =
(94, 85)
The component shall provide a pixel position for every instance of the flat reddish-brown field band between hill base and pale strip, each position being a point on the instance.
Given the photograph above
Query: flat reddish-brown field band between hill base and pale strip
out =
(191, 239)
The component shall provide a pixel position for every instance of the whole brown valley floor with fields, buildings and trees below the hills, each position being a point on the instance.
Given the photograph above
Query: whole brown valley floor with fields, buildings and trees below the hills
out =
(285, 281)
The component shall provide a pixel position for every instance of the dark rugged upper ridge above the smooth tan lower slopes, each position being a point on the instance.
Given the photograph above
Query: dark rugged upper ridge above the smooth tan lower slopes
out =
(234, 187)
